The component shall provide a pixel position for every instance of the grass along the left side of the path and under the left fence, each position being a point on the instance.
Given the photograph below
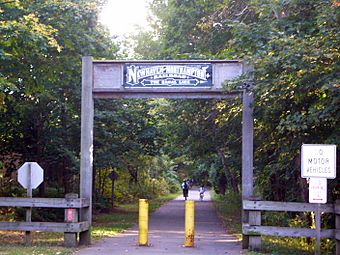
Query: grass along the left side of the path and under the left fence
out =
(121, 218)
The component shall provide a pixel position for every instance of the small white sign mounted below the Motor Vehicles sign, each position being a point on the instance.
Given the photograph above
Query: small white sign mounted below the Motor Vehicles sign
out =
(318, 190)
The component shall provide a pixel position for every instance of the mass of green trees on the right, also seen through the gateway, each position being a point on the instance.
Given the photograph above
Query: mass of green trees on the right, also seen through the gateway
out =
(294, 51)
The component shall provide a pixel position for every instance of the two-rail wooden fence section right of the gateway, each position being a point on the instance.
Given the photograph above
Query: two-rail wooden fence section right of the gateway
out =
(254, 230)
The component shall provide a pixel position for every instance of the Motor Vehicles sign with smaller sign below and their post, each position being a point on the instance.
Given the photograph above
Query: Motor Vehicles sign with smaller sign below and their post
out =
(318, 163)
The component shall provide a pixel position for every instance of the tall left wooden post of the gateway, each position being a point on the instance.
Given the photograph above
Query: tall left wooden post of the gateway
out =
(86, 147)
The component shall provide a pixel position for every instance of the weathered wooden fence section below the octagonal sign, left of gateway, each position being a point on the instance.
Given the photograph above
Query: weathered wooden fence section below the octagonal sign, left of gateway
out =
(71, 226)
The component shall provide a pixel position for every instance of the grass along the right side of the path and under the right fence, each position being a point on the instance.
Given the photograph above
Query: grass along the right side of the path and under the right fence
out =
(228, 208)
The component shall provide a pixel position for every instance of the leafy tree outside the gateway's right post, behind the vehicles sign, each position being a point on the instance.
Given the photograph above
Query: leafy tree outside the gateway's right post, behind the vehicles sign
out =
(295, 58)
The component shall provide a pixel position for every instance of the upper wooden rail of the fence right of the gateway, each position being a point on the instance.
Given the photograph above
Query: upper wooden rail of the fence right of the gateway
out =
(285, 206)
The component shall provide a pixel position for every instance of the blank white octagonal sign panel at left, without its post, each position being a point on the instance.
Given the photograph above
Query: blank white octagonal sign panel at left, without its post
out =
(30, 173)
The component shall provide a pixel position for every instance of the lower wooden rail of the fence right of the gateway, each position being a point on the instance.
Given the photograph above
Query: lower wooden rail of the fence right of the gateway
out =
(285, 231)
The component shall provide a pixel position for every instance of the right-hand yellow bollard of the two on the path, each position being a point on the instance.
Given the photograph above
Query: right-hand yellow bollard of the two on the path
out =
(189, 223)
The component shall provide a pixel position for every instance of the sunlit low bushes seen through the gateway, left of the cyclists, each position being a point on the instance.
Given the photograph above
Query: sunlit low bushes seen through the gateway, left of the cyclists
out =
(153, 178)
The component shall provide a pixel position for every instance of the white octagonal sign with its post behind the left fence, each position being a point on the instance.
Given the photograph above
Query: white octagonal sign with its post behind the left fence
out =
(30, 176)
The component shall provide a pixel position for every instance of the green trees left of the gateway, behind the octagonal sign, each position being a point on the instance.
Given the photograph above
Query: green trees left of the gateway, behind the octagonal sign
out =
(40, 60)
